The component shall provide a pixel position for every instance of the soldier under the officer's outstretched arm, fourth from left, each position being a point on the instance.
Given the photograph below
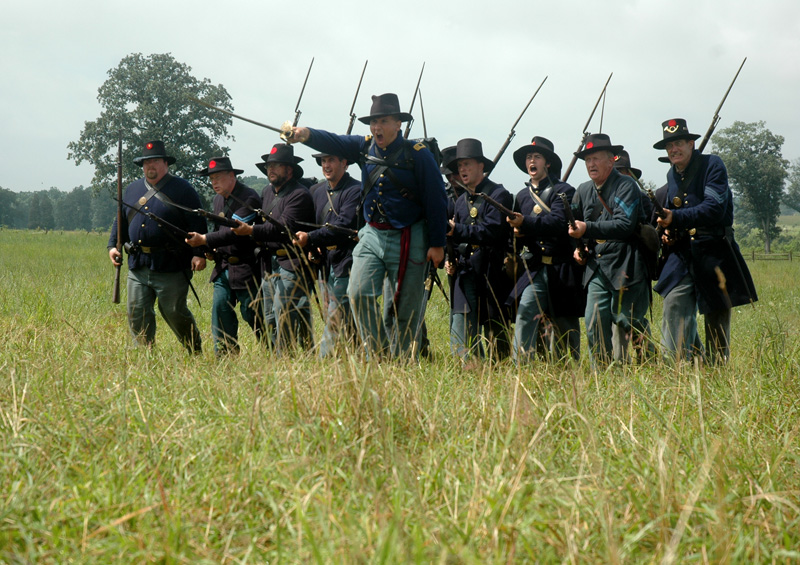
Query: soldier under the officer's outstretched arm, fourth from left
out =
(336, 203)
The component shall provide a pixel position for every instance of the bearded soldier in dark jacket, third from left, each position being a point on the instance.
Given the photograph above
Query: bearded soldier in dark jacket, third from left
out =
(286, 277)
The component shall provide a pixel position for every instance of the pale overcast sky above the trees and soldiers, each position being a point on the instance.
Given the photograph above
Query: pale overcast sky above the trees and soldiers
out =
(483, 62)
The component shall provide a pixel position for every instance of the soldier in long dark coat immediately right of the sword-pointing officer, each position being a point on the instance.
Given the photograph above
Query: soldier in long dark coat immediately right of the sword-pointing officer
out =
(479, 232)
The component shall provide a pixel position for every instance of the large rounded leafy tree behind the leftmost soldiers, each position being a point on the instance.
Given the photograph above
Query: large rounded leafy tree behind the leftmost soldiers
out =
(146, 98)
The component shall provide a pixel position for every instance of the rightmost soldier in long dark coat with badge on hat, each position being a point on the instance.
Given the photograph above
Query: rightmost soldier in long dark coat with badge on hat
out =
(704, 268)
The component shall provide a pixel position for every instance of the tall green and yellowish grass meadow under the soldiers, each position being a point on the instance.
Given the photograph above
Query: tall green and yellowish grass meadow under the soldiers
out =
(110, 453)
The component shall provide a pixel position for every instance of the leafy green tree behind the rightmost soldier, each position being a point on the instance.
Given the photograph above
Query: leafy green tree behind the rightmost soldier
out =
(756, 171)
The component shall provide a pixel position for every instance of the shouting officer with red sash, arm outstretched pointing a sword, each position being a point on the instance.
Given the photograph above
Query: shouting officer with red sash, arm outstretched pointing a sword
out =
(405, 210)
